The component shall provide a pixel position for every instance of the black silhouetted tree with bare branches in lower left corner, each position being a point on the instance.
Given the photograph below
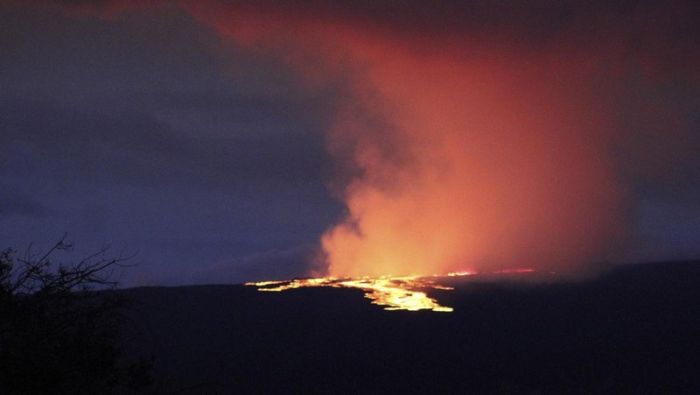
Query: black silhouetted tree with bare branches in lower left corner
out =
(60, 326)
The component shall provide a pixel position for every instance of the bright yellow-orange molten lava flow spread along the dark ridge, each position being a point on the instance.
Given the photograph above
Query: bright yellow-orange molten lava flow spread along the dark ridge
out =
(394, 293)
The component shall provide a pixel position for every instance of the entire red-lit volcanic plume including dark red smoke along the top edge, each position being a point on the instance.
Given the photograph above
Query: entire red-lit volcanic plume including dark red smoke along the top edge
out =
(472, 137)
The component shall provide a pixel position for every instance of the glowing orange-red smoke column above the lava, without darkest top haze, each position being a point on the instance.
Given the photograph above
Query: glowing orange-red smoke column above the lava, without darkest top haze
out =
(452, 151)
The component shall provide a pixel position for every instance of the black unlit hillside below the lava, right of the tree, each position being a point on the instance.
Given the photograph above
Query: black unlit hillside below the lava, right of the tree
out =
(635, 329)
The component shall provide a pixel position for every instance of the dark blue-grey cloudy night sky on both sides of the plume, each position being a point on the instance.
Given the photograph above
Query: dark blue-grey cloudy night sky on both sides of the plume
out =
(150, 132)
